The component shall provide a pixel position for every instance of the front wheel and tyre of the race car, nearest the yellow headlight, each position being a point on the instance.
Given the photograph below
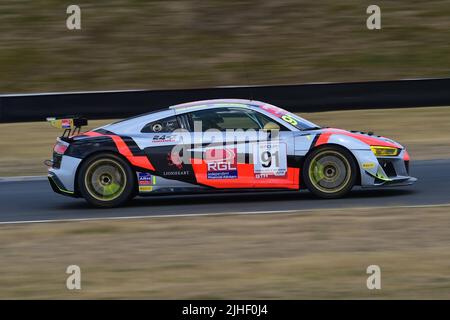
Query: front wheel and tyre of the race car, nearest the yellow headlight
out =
(330, 172)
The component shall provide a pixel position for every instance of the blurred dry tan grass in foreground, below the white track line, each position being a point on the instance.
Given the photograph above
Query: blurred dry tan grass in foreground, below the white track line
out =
(305, 255)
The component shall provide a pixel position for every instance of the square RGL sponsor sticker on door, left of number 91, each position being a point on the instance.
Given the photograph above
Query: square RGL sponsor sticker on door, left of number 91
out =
(221, 163)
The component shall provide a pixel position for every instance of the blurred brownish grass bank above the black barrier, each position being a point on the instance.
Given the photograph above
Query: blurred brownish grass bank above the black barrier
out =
(133, 44)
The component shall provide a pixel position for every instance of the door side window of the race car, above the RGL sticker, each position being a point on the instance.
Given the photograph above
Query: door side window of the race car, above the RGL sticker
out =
(225, 118)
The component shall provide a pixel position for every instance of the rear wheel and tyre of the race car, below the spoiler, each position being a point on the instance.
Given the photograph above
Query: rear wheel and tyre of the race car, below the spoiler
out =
(106, 180)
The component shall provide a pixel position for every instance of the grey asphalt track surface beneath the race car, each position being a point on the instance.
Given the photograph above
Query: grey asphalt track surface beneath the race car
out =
(34, 201)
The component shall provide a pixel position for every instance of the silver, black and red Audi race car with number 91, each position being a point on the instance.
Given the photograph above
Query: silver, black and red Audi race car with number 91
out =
(216, 145)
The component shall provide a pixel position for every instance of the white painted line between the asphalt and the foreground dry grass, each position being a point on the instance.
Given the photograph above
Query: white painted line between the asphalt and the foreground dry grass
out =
(187, 215)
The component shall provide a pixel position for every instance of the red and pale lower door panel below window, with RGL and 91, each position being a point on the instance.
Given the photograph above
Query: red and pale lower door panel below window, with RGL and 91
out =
(250, 164)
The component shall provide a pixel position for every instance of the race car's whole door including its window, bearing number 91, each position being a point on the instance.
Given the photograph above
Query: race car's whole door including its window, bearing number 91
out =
(244, 158)
